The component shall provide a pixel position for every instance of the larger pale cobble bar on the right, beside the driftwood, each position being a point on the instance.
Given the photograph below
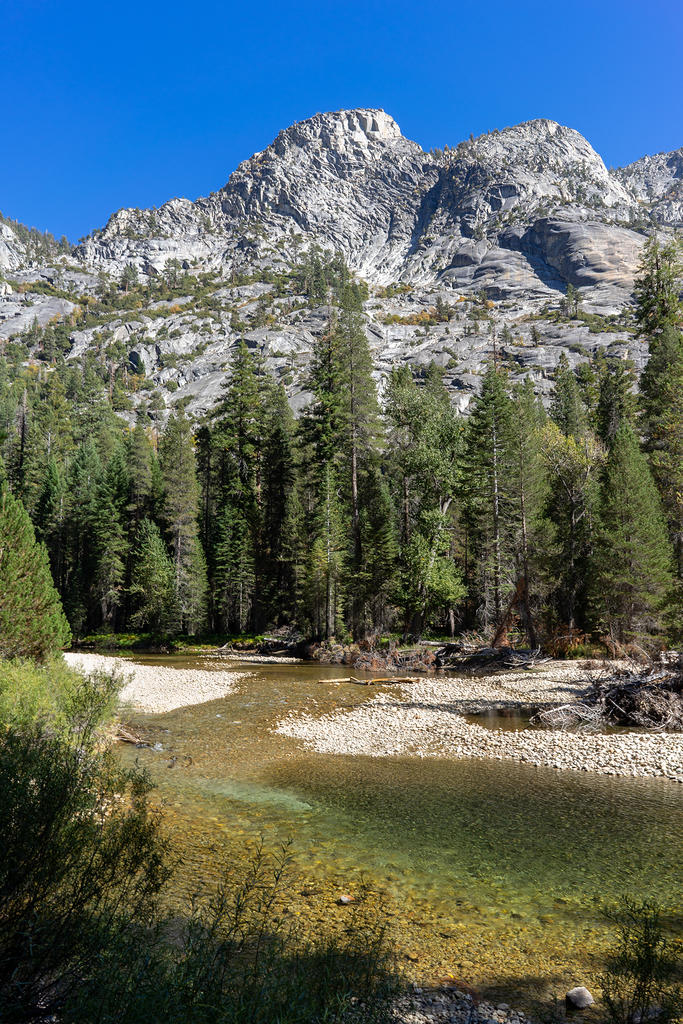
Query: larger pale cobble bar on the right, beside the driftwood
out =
(425, 720)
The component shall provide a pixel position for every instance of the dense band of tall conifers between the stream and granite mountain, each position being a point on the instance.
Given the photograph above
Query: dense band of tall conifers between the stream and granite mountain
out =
(377, 511)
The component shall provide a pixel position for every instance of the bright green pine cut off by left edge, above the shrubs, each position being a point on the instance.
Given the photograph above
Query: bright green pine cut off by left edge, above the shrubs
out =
(32, 622)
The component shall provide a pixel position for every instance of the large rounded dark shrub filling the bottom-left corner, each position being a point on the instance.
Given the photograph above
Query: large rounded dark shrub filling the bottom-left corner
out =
(83, 859)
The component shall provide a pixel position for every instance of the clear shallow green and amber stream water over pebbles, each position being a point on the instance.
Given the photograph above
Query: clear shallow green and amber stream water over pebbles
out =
(493, 872)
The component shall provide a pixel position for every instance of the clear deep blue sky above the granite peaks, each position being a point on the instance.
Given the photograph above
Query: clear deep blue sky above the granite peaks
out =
(130, 104)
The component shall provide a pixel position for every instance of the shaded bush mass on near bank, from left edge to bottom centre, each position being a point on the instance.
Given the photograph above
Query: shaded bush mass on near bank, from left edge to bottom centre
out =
(84, 869)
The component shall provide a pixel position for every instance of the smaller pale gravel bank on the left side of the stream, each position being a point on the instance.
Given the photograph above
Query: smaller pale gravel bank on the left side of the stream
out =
(154, 689)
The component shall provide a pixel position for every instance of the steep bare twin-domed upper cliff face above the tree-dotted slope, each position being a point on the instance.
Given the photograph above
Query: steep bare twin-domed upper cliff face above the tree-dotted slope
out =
(525, 210)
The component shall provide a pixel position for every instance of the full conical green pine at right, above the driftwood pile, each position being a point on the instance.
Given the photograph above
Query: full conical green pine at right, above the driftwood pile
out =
(632, 563)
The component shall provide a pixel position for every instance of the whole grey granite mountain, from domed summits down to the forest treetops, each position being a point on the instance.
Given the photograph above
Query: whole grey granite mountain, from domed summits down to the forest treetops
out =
(497, 229)
